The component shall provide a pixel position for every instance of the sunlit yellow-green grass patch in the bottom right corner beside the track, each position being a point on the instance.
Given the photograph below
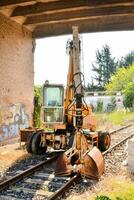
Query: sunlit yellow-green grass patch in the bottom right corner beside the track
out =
(118, 189)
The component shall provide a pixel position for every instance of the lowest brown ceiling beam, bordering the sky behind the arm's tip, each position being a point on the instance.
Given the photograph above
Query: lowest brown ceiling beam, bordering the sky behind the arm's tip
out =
(108, 23)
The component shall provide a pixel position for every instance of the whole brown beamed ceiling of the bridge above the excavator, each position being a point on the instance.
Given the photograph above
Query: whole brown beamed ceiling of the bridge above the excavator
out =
(56, 17)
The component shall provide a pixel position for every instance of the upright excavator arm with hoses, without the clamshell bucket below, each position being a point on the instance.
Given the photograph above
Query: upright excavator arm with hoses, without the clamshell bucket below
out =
(75, 107)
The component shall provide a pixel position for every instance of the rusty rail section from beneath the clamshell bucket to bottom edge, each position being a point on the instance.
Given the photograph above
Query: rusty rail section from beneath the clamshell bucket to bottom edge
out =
(63, 189)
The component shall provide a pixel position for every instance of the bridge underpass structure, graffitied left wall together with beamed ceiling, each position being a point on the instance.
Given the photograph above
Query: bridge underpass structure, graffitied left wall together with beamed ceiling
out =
(22, 21)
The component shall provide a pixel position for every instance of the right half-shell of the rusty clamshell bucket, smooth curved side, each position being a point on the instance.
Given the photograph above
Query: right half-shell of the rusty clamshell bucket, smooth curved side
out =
(93, 164)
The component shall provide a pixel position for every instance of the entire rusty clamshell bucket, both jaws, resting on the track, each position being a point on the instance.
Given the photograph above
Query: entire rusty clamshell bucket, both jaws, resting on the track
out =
(81, 159)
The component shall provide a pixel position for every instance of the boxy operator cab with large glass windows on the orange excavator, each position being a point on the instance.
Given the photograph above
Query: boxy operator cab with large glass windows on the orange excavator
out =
(53, 103)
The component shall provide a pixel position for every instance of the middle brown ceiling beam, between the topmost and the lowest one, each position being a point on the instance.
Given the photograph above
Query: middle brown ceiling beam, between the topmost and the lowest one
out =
(81, 13)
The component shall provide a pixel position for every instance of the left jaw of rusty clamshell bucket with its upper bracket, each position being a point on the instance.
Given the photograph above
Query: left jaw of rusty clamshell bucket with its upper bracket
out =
(70, 161)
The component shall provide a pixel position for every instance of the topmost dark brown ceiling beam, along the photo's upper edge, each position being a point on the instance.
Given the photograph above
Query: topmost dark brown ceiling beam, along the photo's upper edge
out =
(63, 4)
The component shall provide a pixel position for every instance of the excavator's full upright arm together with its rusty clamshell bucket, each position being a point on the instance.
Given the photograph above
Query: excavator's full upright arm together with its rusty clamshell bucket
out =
(81, 157)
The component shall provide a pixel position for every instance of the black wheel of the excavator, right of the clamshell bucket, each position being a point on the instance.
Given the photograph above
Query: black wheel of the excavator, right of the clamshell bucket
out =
(104, 141)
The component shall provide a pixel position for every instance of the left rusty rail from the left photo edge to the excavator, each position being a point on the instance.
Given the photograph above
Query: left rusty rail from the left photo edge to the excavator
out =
(26, 173)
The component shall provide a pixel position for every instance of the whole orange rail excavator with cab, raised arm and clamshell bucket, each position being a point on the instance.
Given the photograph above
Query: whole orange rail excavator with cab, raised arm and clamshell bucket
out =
(69, 123)
